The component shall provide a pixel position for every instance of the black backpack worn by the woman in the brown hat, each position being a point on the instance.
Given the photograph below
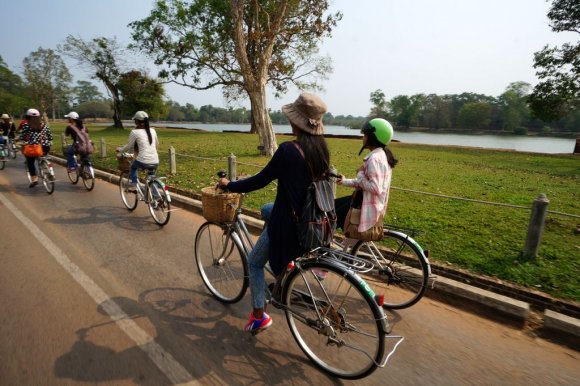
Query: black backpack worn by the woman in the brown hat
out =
(317, 221)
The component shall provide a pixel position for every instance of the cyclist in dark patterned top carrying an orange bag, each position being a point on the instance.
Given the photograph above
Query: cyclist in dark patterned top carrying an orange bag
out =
(34, 132)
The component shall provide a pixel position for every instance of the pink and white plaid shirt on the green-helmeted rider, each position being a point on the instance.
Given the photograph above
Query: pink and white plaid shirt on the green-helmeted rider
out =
(375, 181)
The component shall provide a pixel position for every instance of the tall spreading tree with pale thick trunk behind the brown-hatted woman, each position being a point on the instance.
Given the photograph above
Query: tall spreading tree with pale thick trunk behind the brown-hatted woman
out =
(240, 45)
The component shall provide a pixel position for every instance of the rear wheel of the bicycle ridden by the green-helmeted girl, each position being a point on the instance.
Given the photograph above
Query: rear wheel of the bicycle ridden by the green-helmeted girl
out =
(405, 268)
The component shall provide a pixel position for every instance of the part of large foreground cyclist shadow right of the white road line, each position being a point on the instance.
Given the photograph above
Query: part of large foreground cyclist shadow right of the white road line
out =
(200, 319)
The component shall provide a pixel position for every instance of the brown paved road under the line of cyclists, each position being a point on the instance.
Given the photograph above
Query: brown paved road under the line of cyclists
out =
(92, 293)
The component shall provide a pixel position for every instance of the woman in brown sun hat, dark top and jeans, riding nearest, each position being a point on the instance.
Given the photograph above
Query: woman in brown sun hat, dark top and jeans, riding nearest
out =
(278, 242)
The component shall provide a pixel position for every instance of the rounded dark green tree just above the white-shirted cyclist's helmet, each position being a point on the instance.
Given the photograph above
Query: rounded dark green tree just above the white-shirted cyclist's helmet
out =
(140, 92)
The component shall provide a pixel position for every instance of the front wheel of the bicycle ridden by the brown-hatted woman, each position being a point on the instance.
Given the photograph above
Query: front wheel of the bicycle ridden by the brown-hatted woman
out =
(221, 263)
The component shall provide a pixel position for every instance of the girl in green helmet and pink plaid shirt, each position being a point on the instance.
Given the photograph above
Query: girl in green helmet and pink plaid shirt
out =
(373, 177)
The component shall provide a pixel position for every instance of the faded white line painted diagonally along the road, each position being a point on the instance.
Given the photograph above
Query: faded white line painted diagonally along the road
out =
(174, 371)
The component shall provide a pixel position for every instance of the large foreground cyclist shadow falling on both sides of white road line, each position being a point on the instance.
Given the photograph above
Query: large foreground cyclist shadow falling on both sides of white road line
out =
(192, 327)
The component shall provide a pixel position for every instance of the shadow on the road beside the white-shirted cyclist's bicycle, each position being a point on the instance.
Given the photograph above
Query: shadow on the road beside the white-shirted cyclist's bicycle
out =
(117, 216)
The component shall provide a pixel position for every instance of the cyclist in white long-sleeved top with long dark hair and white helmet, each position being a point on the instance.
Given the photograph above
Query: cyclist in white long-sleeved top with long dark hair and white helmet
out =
(143, 141)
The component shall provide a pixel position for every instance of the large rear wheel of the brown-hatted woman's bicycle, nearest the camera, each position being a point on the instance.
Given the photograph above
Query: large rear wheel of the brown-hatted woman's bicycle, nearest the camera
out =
(350, 322)
